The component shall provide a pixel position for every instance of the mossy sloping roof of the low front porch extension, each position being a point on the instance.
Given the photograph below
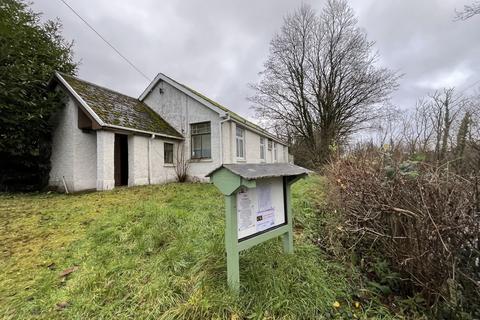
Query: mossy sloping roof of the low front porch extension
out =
(112, 109)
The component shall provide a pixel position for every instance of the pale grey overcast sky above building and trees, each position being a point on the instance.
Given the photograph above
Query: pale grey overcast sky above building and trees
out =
(218, 47)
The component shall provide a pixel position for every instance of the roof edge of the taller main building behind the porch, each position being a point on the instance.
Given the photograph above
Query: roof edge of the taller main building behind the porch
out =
(222, 110)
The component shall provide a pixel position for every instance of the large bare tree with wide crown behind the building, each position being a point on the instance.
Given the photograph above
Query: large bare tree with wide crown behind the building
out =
(320, 80)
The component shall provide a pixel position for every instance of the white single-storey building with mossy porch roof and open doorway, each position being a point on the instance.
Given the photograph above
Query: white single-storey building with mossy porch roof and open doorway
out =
(104, 139)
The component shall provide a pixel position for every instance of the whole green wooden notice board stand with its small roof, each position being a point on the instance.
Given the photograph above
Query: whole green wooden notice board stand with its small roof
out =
(257, 208)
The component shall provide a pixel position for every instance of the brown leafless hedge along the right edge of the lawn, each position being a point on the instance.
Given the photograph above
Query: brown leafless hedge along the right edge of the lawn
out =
(423, 219)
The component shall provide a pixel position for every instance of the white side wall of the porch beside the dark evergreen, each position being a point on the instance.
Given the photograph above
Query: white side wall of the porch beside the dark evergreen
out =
(73, 152)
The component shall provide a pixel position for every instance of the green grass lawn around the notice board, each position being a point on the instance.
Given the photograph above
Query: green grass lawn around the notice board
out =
(158, 252)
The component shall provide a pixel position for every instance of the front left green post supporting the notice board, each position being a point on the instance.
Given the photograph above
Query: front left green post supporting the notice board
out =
(231, 242)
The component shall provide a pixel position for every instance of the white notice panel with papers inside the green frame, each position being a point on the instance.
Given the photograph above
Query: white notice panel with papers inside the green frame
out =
(260, 209)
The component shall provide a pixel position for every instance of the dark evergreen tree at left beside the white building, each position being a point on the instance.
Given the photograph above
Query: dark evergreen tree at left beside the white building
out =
(30, 51)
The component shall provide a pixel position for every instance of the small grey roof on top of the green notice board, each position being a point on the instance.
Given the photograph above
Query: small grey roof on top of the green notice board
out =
(263, 170)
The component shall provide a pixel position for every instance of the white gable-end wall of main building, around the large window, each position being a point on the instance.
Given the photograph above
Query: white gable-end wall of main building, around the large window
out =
(180, 111)
